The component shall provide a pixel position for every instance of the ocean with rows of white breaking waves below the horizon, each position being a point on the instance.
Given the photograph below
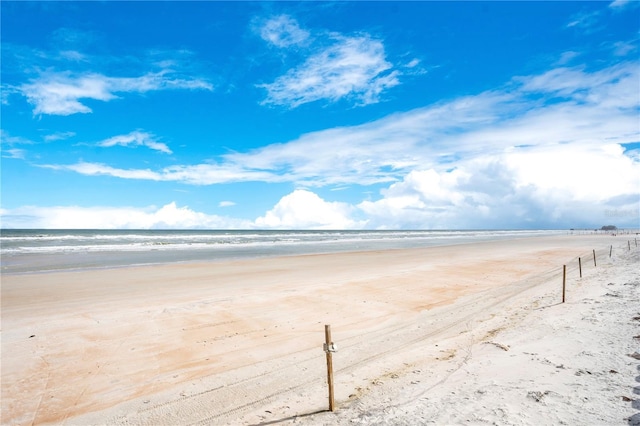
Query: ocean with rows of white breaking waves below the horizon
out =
(24, 251)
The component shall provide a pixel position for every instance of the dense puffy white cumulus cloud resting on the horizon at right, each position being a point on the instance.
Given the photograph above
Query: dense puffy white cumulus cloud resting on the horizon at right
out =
(544, 186)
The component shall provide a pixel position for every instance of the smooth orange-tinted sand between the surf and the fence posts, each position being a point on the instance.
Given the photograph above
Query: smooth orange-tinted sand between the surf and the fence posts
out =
(190, 334)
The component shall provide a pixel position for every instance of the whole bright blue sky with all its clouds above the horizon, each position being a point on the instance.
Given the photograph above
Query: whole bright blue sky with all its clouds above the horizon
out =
(323, 115)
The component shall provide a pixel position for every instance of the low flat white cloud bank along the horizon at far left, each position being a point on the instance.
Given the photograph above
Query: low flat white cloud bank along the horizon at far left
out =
(74, 217)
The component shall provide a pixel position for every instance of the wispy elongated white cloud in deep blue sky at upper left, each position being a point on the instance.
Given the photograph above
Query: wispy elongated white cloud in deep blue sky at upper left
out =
(61, 93)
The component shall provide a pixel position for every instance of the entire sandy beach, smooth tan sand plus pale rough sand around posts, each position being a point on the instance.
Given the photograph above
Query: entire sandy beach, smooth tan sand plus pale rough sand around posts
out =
(460, 334)
